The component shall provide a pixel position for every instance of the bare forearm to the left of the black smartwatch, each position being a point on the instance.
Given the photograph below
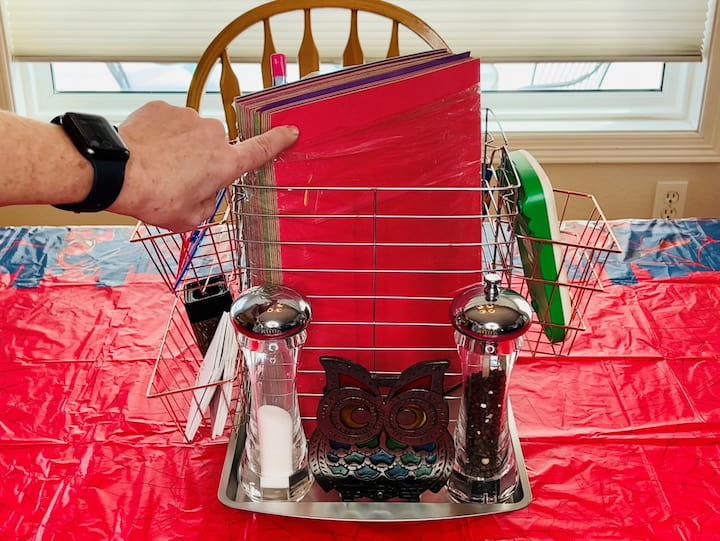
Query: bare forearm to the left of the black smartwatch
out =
(39, 164)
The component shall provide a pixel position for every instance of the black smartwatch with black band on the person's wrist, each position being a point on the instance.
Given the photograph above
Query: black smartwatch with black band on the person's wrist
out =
(98, 141)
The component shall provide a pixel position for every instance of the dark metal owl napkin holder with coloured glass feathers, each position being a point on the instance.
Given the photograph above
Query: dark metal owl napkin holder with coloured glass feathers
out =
(376, 446)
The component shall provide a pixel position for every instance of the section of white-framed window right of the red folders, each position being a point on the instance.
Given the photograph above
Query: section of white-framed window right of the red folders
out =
(623, 97)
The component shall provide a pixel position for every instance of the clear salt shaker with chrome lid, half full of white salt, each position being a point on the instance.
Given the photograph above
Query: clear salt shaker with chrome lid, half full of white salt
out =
(270, 321)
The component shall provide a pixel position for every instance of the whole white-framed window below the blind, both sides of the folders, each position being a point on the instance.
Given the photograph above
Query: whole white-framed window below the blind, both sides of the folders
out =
(524, 96)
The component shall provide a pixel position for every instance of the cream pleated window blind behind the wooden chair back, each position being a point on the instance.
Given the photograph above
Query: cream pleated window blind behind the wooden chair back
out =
(496, 31)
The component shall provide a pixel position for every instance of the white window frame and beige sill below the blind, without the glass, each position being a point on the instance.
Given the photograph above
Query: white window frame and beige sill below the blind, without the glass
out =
(672, 125)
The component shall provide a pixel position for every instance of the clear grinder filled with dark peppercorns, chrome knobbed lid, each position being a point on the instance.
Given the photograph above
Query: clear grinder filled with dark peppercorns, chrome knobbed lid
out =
(489, 324)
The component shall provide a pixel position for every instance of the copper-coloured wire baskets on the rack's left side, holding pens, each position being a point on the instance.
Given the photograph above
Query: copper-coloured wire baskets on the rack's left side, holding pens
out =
(187, 262)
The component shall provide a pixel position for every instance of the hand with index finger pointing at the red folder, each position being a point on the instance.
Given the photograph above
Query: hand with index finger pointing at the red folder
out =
(179, 161)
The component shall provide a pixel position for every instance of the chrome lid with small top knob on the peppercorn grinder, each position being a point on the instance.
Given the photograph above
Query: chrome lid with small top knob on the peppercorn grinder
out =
(490, 312)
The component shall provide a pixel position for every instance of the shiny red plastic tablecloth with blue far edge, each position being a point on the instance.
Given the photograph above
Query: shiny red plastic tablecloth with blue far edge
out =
(621, 440)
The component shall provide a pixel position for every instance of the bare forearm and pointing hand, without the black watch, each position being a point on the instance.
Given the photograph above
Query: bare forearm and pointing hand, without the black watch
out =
(178, 162)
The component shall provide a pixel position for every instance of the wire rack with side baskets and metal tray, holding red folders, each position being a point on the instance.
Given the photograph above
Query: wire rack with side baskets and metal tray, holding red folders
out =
(380, 291)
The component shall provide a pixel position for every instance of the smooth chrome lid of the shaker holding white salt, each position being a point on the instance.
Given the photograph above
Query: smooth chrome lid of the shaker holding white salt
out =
(270, 311)
